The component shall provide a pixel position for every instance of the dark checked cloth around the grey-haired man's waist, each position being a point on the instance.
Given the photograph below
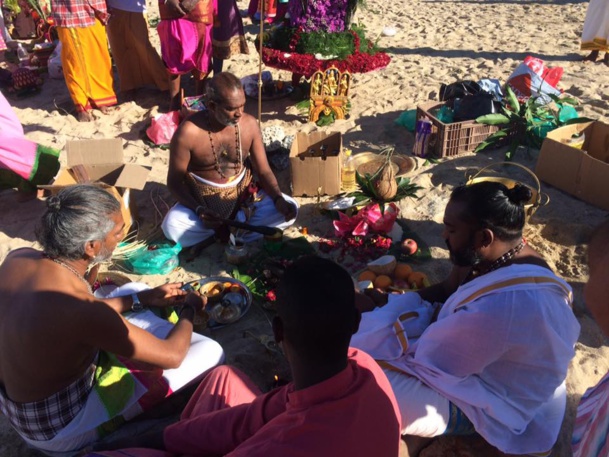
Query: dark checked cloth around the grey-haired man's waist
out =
(42, 420)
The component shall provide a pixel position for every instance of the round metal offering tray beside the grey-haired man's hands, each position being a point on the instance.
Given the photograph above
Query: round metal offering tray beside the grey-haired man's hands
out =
(230, 301)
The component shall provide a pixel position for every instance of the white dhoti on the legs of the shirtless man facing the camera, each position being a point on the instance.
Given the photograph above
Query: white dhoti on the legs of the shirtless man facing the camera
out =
(183, 226)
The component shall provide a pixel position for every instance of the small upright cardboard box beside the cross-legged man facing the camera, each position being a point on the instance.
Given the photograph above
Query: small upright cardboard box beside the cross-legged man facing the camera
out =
(316, 160)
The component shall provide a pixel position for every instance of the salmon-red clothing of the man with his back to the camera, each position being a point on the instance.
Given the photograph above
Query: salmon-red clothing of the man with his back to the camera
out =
(353, 413)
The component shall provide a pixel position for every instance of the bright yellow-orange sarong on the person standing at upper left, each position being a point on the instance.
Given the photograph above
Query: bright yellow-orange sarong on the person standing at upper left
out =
(86, 66)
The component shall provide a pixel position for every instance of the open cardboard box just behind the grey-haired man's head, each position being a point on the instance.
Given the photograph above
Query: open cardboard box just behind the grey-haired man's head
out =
(101, 161)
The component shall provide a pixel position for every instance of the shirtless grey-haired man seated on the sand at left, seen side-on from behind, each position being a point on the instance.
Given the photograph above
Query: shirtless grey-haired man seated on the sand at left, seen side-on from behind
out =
(55, 334)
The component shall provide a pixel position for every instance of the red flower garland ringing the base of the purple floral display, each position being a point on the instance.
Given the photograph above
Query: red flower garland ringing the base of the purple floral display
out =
(307, 64)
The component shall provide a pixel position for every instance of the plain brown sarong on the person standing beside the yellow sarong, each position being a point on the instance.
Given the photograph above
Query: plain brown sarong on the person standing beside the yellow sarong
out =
(137, 62)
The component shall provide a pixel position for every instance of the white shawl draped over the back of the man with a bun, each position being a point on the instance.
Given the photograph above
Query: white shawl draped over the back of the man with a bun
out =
(499, 351)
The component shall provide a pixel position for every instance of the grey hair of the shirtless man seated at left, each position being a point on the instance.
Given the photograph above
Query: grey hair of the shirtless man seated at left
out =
(76, 215)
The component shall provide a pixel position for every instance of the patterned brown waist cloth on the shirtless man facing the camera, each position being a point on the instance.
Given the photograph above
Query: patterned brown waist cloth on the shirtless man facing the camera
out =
(224, 201)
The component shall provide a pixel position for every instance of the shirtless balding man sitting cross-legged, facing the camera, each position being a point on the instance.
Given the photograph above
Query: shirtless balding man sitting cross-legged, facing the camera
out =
(212, 157)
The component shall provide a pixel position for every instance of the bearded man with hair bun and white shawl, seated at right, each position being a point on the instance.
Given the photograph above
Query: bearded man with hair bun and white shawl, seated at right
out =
(495, 360)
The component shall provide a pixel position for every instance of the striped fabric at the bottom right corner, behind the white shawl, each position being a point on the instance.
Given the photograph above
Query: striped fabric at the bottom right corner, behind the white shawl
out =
(591, 432)
